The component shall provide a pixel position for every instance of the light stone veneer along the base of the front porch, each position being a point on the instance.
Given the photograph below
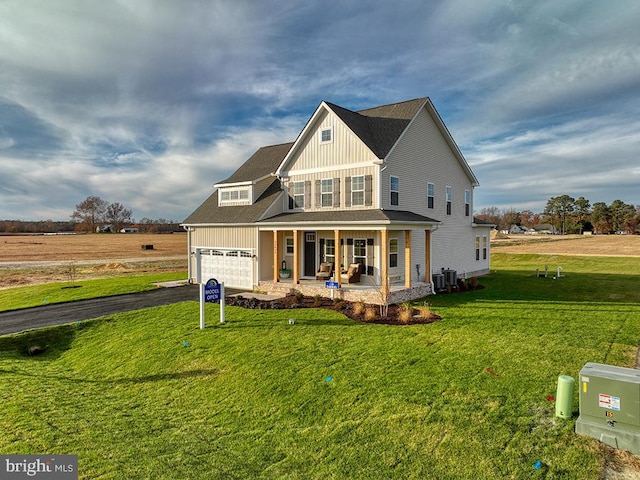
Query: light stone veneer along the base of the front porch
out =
(370, 295)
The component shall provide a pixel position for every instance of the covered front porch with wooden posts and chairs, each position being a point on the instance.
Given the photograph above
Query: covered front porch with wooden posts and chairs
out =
(393, 261)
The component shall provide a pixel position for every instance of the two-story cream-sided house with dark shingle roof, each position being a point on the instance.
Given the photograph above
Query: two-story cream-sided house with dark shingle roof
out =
(385, 188)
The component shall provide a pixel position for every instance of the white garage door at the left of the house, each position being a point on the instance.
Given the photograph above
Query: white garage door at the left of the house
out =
(234, 268)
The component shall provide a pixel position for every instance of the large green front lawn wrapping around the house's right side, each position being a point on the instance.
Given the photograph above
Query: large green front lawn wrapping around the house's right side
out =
(328, 398)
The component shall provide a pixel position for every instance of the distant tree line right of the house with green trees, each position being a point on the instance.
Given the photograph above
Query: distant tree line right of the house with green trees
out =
(570, 215)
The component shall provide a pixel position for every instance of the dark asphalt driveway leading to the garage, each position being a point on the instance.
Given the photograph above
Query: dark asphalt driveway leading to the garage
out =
(60, 313)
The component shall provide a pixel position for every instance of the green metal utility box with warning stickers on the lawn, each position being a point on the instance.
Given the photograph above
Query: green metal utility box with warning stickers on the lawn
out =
(610, 405)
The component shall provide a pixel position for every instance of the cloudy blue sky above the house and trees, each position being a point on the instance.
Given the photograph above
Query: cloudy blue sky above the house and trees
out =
(149, 103)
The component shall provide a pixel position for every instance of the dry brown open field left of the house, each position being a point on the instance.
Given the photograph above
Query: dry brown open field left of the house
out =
(35, 259)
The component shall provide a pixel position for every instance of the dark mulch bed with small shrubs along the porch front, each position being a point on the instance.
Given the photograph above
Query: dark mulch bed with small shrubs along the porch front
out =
(347, 308)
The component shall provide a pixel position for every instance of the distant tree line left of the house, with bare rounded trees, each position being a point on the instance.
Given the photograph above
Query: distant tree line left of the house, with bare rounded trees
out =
(90, 214)
